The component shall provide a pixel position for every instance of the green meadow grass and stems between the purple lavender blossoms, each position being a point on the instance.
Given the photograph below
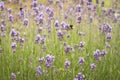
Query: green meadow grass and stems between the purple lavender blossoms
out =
(19, 62)
